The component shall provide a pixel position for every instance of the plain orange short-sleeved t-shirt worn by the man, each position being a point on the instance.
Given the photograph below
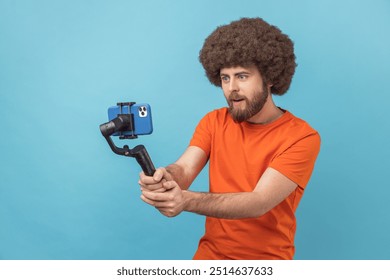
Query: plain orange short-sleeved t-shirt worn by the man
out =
(238, 156)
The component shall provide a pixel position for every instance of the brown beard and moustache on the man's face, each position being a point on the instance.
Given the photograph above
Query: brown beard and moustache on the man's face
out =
(252, 107)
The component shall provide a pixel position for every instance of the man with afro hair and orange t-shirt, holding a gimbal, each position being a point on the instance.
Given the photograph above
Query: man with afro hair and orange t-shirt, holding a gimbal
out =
(261, 156)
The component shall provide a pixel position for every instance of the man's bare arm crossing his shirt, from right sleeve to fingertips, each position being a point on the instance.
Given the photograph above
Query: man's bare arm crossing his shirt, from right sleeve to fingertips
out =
(272, 188)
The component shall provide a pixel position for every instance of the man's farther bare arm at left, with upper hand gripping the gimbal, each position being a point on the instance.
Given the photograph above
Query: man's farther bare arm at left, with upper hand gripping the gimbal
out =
(183, 171)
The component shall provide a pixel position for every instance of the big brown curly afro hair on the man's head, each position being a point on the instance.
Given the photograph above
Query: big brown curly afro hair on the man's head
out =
(250, 41)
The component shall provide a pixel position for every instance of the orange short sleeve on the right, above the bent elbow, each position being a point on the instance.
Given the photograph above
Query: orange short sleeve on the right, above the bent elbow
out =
(297, 161)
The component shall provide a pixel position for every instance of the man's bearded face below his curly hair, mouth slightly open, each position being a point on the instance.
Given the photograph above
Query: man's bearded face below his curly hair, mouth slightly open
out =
(244, 90)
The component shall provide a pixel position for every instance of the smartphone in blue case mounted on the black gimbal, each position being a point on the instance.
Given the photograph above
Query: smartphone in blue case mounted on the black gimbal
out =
(142, 116)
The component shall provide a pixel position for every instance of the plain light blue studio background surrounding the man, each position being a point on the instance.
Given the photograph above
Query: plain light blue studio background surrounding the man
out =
(65, 195)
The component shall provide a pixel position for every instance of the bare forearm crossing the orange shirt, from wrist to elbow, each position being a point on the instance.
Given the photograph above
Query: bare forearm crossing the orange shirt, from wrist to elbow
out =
(225, 205)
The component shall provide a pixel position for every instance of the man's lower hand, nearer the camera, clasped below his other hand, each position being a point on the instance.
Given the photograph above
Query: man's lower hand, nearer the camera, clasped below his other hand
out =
(170, 203)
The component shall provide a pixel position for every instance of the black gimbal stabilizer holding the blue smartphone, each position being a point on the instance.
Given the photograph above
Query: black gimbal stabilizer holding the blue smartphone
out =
(125, 122)
